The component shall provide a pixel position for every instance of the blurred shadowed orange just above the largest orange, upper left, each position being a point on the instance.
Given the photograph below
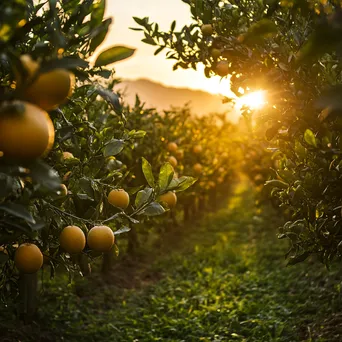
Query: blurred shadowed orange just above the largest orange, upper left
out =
(49, 89)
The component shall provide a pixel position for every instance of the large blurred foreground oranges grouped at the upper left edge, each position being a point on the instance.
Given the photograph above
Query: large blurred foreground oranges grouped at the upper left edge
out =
(26, 130)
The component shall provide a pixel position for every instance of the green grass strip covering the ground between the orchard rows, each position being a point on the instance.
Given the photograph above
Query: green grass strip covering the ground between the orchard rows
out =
(225, 280)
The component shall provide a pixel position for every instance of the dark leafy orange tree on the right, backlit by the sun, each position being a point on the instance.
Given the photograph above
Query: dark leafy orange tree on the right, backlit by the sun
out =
(291, 49)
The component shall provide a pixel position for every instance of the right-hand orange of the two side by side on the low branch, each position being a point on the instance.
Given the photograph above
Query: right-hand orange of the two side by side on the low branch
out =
(100, 238)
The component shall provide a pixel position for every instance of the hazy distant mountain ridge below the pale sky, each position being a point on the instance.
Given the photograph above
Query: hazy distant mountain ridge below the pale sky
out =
(162, 97)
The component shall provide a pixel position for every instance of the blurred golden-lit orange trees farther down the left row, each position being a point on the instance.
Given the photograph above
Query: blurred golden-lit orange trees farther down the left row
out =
(198, 146)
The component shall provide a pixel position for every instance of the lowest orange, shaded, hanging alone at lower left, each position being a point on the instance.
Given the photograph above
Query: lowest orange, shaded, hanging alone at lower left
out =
(28, 258)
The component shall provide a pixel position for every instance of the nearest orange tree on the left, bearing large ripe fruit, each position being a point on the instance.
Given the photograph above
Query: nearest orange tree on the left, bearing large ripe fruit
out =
(64, 198)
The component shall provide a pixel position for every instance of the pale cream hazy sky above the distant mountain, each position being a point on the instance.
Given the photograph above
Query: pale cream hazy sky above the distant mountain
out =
(144, 64)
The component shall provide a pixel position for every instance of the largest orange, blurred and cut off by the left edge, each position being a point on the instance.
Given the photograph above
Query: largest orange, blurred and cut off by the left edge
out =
(26, 131)
